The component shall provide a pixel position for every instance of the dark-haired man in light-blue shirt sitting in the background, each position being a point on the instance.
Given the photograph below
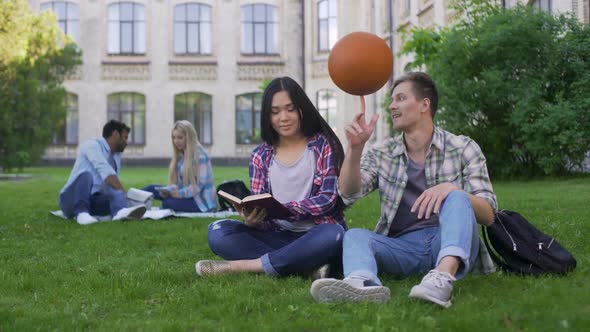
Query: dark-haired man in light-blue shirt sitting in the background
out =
(94, 187)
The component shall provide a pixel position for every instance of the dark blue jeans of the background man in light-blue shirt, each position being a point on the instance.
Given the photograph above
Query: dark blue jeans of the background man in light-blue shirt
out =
(76, 198)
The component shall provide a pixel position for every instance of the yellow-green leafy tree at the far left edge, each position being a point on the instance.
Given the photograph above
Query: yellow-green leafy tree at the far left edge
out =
(35, 58)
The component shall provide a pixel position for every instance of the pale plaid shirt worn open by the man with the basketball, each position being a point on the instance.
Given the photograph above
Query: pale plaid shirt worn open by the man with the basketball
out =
(452, 158)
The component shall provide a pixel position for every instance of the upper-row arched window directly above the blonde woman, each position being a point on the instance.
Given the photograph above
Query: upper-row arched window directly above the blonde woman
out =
(192, 28)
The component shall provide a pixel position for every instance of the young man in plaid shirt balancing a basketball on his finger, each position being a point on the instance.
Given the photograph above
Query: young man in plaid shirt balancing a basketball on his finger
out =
(434, 189)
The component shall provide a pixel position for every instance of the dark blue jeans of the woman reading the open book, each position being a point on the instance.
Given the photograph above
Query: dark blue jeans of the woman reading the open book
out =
(282, 252)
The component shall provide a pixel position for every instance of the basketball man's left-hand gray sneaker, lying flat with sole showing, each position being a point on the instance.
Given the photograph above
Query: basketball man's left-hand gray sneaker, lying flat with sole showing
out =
(348, 290)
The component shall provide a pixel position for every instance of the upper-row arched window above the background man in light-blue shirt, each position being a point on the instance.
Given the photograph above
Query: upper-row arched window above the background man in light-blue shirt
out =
(126, 28)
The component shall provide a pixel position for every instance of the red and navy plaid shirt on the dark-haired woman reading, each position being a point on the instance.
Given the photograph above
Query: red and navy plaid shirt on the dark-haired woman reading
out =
(320, 206)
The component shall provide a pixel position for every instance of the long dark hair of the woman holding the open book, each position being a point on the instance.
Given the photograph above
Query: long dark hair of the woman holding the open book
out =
(311, 121)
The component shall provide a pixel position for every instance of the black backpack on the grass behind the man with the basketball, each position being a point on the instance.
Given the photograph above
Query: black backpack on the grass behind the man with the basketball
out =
(517, 246)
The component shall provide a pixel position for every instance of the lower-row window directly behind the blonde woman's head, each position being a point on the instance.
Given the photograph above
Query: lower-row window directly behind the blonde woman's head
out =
(196, 108)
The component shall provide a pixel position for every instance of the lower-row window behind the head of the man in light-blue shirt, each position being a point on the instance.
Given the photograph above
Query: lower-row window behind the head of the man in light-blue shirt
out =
(129, 107)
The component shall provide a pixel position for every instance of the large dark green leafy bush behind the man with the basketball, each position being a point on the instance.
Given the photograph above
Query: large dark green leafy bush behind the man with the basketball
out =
(515, 80)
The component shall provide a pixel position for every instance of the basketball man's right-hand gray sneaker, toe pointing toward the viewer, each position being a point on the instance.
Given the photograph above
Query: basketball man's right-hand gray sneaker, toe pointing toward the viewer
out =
(436, 287)
